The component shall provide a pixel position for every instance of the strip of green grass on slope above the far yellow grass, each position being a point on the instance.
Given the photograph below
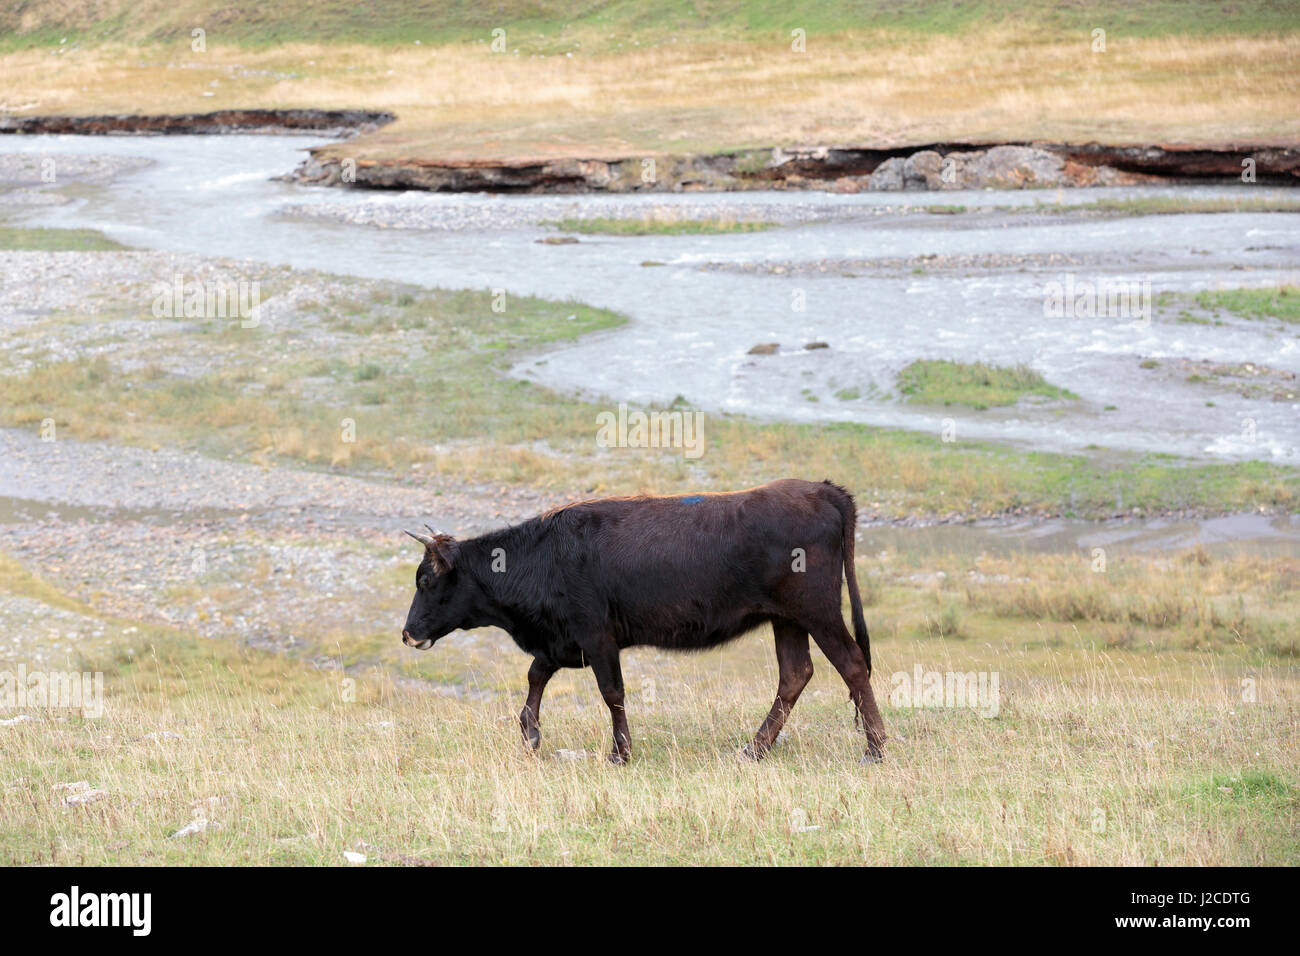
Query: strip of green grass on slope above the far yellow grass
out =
(545, 24)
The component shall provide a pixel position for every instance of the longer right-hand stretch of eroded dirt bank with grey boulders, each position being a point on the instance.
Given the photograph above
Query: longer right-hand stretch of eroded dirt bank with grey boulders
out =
(938, 167)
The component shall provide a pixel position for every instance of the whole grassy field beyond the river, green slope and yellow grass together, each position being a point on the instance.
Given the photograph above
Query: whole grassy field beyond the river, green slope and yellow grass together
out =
(635, 80)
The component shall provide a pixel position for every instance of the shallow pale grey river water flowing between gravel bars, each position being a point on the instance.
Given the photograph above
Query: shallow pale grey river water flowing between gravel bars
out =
(691, 328)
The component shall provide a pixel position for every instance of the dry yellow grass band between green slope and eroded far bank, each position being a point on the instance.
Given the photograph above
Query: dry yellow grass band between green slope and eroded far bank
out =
(462, 102)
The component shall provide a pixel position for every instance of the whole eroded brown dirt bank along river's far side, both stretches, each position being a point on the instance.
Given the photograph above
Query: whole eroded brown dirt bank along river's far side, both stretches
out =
(938, 167)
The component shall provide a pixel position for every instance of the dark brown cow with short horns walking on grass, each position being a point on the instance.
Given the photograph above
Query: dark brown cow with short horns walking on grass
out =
(578, 585)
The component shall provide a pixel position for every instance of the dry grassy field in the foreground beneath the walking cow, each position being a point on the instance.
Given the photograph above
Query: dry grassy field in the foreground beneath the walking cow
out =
(1145, 716)
